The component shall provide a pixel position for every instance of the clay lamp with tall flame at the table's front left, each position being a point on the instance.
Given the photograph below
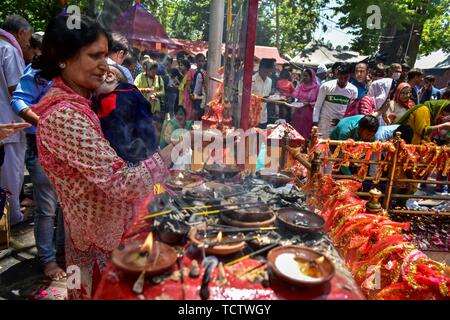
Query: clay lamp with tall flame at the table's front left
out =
(153, 257)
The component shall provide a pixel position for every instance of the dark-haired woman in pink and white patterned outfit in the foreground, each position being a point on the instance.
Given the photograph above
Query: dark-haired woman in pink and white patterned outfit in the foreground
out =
(98, 191)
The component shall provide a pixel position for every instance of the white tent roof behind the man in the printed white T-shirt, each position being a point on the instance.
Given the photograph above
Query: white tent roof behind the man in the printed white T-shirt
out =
(316, 54)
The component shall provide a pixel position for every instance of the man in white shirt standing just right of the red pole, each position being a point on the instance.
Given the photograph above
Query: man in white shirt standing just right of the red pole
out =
(262, 86)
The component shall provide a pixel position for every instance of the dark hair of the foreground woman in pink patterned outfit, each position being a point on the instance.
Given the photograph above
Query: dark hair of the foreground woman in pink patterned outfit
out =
(61, 43)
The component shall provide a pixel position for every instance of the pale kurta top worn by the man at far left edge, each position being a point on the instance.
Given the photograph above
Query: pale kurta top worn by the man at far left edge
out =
(12, 66)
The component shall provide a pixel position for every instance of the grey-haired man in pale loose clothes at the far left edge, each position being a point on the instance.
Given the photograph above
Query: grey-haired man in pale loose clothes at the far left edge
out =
(15, 35)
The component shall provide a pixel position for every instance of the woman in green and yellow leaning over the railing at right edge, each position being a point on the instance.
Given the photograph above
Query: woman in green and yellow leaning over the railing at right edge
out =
(427, 119)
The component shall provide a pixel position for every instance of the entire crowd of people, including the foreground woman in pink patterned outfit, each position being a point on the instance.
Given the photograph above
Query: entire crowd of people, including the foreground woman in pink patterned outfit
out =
(91, 119)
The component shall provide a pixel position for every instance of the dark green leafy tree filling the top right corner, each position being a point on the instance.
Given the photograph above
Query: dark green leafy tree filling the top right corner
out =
(407, 26)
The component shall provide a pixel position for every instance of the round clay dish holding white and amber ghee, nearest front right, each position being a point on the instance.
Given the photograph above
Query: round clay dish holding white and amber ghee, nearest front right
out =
(283, 270)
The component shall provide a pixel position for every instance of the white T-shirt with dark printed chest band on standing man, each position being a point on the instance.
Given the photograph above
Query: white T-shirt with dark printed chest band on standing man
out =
(331, 104)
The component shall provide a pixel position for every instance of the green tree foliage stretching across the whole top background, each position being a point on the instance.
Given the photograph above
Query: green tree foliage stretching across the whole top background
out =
(288, 24)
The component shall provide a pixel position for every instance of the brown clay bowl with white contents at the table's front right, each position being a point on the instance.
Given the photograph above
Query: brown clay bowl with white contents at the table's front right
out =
(300, 266)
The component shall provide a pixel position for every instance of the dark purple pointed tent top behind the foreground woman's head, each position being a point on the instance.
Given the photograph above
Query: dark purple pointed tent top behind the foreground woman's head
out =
(141, 28)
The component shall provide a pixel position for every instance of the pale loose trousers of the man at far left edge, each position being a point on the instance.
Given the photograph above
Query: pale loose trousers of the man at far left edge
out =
(11, 176)
